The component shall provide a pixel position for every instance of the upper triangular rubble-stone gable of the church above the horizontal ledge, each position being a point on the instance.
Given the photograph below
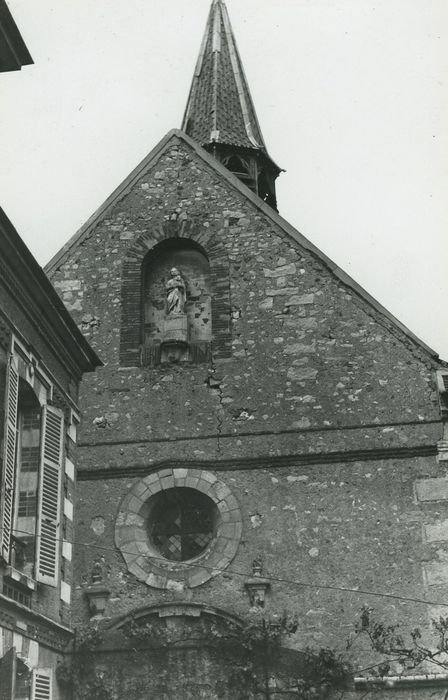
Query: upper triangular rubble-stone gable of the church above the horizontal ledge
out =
(295, 348)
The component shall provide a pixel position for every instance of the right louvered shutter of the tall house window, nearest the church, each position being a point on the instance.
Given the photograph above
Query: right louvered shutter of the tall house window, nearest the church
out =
(49, 498)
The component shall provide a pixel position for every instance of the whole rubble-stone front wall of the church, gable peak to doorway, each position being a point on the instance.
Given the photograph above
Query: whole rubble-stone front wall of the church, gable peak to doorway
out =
(321, 416)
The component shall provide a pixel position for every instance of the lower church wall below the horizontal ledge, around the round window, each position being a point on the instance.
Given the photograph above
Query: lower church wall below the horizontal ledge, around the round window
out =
(316, 529)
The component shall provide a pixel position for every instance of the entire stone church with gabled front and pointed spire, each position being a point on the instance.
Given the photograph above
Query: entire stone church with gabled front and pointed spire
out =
(263, 435)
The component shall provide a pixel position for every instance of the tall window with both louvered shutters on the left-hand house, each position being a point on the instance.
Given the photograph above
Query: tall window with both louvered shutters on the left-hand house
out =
(32, 469)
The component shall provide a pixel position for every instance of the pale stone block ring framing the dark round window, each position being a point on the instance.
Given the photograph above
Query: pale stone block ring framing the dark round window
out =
(141, 557)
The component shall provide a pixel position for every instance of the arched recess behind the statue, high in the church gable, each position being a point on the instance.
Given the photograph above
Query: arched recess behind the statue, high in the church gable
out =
(188, 340)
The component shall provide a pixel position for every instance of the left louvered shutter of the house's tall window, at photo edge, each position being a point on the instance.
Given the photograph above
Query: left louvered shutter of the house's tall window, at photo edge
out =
(9, 459)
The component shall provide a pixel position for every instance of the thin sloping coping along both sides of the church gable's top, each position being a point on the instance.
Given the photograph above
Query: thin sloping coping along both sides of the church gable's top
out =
(121, 190)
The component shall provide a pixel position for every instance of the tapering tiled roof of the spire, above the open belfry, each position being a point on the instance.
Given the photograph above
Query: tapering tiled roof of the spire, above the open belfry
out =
(220, 107)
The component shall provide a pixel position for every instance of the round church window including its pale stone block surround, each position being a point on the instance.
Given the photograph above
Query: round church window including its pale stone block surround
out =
(177, 528)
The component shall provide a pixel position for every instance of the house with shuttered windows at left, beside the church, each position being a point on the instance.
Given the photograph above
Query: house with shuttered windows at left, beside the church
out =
(42, 358)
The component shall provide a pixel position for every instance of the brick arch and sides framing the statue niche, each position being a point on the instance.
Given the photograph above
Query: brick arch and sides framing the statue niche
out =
(132, 288)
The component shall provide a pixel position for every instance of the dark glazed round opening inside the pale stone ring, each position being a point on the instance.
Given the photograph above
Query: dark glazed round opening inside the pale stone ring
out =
(182, 522)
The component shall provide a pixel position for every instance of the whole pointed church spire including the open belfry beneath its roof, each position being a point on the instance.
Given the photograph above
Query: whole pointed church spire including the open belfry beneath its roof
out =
(220, 114)
